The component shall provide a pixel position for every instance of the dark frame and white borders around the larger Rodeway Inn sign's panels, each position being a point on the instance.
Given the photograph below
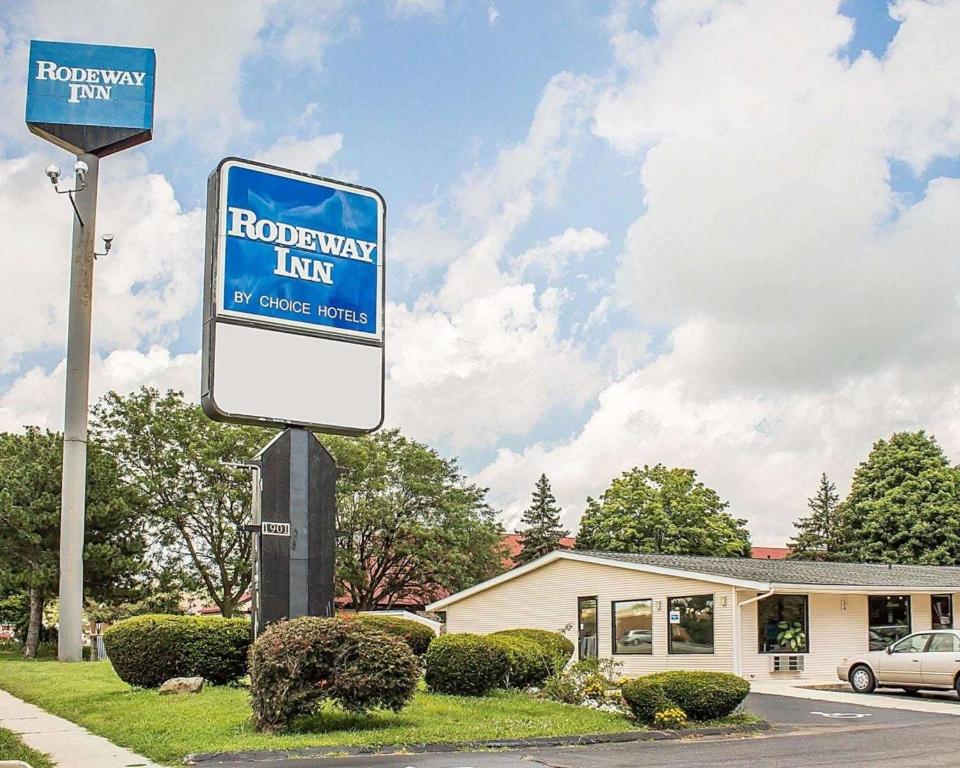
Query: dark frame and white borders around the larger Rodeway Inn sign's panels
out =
(215, 315)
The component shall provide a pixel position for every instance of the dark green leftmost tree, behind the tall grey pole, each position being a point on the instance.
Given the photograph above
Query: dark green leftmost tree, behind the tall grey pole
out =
(114, 544)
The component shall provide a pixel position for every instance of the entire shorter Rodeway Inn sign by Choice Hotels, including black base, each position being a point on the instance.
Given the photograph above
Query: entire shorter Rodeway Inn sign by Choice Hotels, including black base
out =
(293, 337)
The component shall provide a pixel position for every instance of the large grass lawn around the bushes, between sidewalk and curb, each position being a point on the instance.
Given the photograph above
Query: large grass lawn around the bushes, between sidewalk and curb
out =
(218, 719)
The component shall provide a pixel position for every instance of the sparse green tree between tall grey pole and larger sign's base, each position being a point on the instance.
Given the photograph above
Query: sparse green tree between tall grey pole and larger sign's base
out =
(176, 460)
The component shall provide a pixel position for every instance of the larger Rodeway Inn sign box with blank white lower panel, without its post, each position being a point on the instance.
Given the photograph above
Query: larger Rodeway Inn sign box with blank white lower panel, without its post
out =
(293, 302)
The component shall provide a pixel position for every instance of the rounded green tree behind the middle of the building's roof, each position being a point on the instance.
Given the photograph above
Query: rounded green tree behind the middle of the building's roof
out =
(656, 509)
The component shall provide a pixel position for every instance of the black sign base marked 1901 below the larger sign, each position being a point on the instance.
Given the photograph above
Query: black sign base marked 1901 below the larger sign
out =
(298, 530)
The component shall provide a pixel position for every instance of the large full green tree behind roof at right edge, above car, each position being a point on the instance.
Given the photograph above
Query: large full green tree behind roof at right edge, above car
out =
(904, 504)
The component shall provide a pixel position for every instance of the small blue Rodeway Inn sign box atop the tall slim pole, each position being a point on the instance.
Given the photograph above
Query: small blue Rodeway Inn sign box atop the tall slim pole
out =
(90, 98)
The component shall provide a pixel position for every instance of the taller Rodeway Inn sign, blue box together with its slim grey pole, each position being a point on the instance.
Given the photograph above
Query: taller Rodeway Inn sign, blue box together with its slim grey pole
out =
(92, 100)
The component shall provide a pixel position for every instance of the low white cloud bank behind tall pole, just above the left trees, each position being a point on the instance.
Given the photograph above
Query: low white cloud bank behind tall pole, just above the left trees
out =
(36, 398)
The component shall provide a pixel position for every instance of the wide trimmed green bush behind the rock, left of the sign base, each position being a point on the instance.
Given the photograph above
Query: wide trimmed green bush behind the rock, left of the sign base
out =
(147, 650)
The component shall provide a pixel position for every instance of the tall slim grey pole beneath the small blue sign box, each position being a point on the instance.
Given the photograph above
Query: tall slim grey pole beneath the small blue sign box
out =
(77, 400)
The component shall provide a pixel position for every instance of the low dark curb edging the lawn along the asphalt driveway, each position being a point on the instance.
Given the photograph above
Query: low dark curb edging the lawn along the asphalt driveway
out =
(214, 758)
